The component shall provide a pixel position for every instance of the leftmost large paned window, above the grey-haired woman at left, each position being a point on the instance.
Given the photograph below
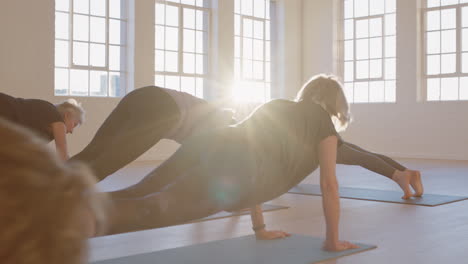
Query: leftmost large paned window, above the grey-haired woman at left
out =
(90, 47)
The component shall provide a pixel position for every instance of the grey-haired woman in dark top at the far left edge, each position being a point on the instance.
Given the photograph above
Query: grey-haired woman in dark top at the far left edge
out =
(51, 122)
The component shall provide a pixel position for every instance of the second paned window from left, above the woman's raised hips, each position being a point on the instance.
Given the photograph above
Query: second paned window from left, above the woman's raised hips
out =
(182, 44)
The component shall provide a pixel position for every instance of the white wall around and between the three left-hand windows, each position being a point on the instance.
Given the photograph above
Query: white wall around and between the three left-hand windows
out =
(27, 58)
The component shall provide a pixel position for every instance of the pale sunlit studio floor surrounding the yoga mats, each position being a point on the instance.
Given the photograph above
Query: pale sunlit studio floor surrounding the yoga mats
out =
(403, 233)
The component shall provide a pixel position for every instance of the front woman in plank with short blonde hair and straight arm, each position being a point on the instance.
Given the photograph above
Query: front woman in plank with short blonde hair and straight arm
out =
(240, 166)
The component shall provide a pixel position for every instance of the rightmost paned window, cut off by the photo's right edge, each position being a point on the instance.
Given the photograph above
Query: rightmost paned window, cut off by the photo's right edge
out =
(446, 50)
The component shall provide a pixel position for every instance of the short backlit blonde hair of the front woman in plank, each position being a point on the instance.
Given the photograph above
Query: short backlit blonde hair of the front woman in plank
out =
(327, 91)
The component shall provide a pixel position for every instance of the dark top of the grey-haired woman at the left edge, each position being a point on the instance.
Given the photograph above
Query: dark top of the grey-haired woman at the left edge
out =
(34, 114)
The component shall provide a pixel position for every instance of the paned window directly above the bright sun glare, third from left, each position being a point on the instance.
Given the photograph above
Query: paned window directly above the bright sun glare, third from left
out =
(252, 60)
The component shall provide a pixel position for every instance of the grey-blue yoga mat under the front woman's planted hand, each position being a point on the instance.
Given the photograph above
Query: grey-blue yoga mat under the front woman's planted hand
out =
(296, 249)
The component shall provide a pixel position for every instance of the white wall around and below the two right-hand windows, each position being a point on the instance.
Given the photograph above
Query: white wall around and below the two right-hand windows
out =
(408, 128)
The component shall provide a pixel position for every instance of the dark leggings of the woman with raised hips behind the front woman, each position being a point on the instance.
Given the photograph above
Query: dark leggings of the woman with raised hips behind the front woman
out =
(140, 120)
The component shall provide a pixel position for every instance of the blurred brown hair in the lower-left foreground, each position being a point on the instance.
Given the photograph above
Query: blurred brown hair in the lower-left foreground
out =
(41, 198)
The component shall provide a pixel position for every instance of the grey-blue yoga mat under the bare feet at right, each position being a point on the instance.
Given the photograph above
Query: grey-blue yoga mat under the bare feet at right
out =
(380, 195)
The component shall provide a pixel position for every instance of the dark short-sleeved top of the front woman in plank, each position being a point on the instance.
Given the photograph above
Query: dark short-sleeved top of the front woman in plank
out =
(268, 153)
